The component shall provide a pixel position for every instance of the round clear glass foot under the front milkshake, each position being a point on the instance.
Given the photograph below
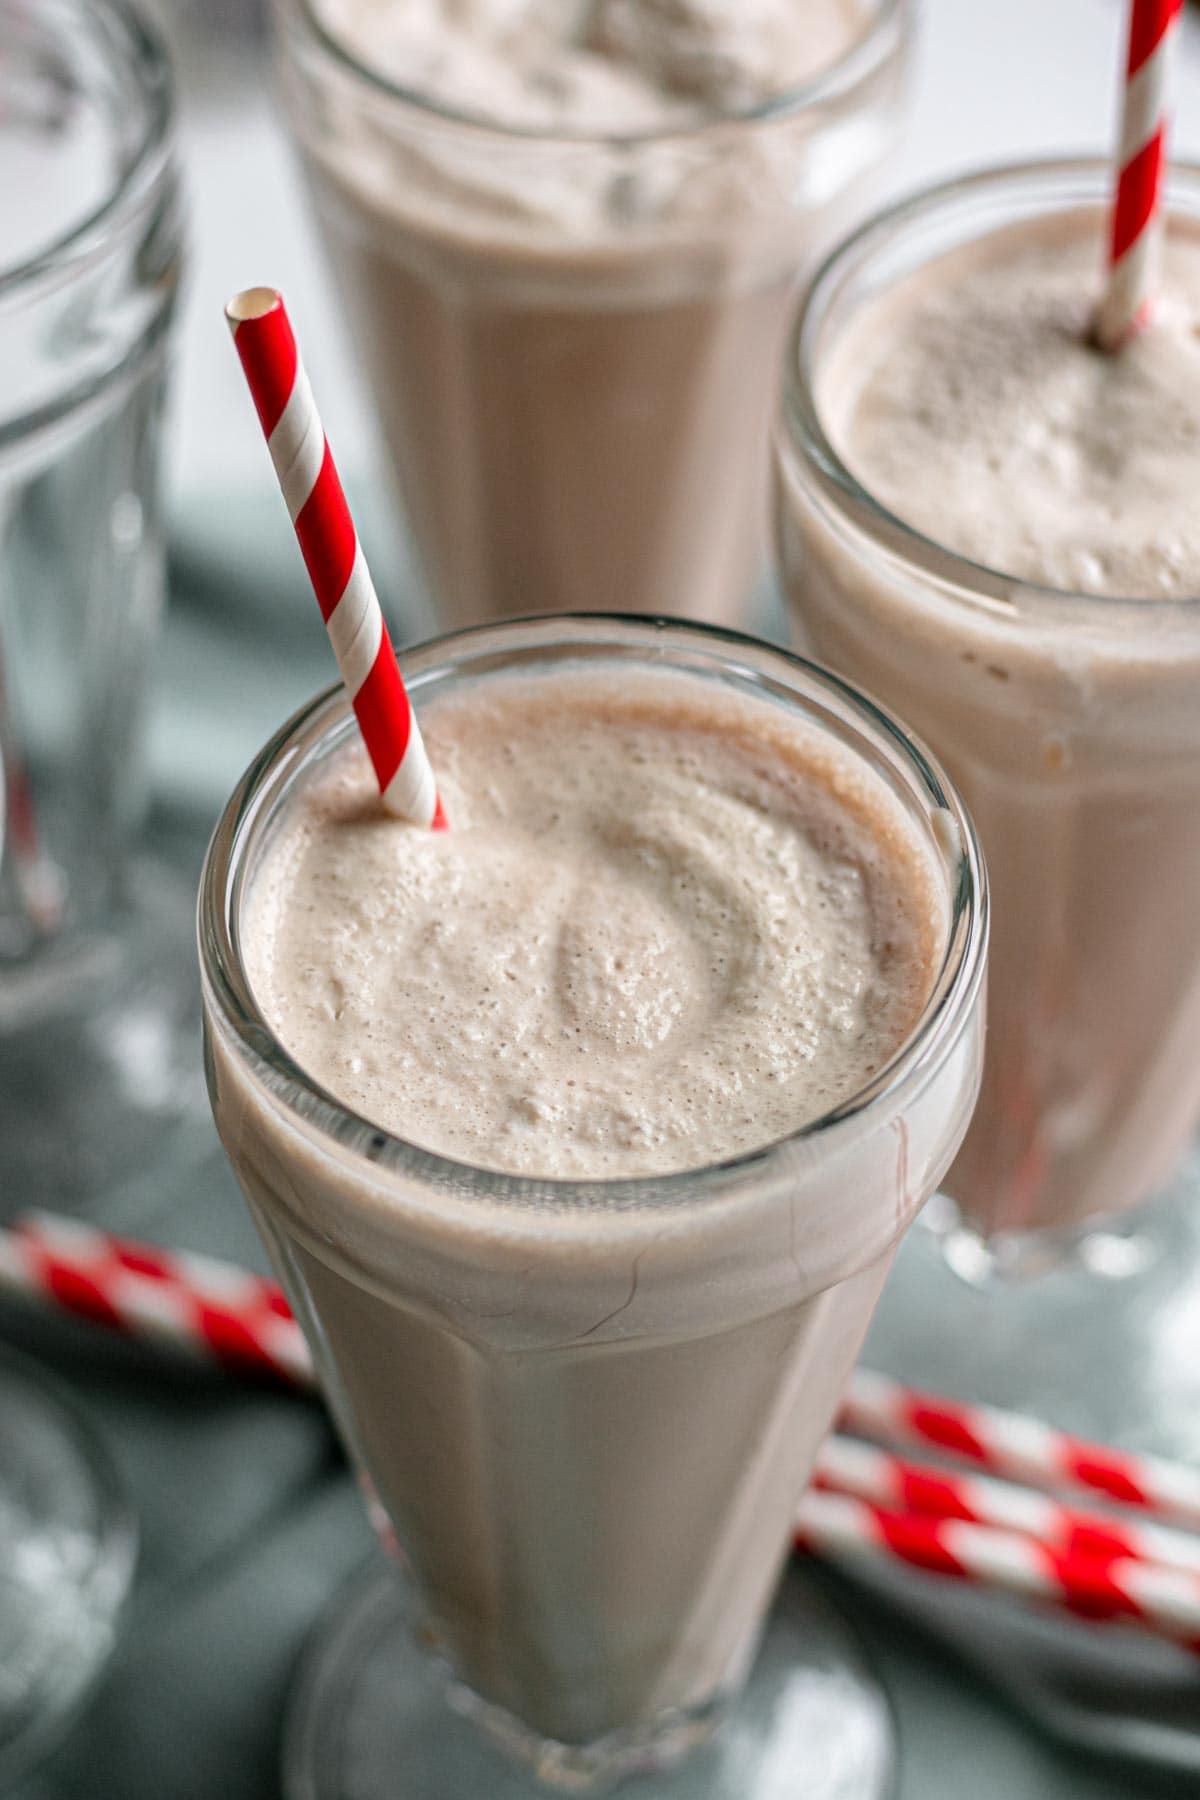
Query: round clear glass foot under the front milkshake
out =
(377, 1718)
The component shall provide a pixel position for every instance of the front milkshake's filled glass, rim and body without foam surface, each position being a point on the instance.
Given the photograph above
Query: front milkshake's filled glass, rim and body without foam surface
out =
(587, 1410)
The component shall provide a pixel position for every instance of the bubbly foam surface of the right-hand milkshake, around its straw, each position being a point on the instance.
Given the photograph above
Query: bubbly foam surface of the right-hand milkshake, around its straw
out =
(971, 402)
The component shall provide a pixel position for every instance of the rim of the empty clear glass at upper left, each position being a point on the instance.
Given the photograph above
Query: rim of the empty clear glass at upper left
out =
(148, 60)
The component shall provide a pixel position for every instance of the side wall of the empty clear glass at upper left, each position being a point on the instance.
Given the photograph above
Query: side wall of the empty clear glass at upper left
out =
(85, 327)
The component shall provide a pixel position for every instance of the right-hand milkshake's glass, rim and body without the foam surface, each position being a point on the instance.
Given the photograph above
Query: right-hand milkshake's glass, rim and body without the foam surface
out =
(1071, 724)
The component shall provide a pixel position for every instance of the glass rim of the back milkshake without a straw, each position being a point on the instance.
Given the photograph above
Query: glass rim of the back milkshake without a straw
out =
(855, 67)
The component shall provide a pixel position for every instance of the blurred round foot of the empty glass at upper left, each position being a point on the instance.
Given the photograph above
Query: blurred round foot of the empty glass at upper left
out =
(100, 1052)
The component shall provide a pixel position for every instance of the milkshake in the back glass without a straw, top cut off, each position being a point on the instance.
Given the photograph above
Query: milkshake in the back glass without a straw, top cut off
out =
(568, 240)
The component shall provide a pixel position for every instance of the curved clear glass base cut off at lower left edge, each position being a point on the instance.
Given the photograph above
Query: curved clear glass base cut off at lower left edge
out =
(67, 1549)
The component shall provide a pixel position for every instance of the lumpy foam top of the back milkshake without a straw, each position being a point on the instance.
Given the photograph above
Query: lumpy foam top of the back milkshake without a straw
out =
(596, 66)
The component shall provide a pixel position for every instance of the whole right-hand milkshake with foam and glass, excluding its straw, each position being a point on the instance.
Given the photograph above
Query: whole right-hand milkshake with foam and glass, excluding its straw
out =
(992, 526)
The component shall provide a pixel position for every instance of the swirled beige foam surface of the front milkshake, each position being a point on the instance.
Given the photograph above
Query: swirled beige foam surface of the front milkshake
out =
(667, 926)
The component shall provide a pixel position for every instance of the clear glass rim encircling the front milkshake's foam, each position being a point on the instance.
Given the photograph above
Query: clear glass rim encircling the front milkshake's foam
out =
(944, 1018)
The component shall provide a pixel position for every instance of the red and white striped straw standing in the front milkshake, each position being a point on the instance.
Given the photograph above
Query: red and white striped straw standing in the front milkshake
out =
(334, 555)
